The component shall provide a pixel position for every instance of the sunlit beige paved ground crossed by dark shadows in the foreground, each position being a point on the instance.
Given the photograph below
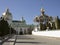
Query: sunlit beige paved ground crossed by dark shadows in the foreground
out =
(32, 40)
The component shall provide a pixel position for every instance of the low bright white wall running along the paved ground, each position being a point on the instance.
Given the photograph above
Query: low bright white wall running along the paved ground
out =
(53, 33)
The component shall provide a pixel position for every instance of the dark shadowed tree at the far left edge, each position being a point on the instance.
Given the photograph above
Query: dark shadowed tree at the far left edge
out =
(4, 27)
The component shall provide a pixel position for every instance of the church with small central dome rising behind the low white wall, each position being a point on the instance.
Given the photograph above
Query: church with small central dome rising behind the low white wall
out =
(46, 21)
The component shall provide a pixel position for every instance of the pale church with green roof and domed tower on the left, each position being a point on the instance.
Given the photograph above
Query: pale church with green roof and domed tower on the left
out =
(19, 26)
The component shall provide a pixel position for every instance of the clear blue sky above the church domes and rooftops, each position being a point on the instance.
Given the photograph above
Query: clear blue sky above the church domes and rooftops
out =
(30, 8)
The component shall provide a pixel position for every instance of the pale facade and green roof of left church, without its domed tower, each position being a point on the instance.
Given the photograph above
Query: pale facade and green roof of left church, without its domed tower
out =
(20, 26)
